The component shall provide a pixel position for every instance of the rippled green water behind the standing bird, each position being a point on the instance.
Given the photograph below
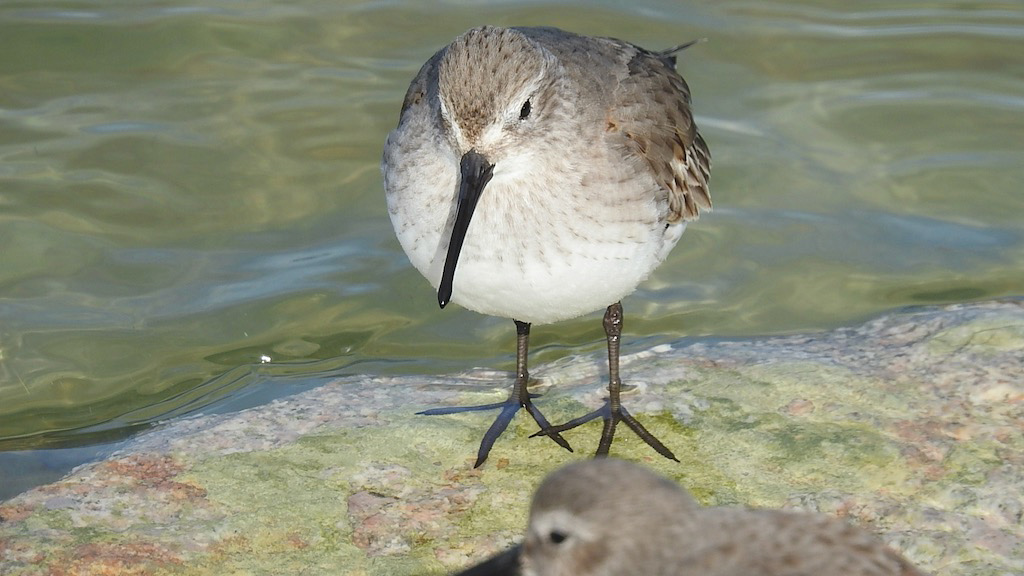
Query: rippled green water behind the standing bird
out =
(191, 205)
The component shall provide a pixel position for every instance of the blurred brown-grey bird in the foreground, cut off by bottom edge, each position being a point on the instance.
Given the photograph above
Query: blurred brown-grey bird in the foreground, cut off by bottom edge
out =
(657, 529)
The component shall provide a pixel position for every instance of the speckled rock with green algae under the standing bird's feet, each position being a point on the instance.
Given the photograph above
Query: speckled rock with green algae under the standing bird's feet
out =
(911, 426)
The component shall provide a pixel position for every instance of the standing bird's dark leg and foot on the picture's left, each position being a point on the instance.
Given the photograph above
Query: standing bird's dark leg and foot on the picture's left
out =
(521, 398)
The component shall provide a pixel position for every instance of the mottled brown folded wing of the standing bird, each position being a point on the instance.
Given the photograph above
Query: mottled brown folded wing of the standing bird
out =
(653, 111)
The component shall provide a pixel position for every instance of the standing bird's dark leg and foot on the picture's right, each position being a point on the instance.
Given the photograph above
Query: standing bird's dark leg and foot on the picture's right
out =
(613, 413)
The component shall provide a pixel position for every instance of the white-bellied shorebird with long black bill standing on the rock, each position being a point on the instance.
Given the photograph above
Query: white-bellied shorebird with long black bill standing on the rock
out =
(539, 176)
